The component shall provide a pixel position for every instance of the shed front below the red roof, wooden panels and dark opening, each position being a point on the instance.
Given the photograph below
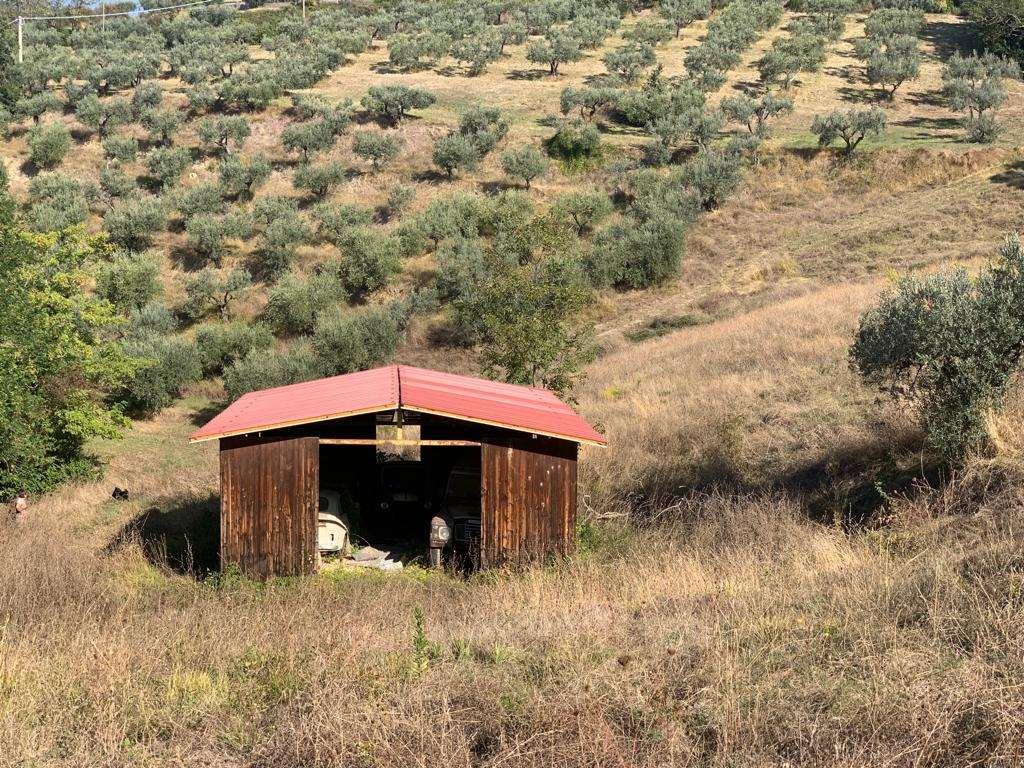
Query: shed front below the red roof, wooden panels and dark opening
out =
(506, 495)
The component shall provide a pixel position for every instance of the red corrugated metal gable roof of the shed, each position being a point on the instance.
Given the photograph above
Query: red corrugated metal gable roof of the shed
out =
(466, 398)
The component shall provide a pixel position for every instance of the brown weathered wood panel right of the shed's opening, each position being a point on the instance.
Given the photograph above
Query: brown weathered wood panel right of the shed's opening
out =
(529, 499)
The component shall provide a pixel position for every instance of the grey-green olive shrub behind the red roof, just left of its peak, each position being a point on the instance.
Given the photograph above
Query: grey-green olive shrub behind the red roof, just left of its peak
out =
(357, 340)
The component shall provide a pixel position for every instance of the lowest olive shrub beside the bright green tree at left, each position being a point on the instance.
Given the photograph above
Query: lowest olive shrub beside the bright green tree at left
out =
(169, 364)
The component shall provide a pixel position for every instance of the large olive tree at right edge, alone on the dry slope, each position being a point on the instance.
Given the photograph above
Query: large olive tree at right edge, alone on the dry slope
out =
(949, 346)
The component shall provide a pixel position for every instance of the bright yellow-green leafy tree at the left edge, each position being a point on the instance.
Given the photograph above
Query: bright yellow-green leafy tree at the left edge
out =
(57, 360)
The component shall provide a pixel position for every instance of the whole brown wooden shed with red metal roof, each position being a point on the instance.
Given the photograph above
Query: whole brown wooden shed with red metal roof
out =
(400, 445)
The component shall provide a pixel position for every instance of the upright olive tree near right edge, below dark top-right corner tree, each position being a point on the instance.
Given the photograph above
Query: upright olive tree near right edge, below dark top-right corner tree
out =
(974, 84)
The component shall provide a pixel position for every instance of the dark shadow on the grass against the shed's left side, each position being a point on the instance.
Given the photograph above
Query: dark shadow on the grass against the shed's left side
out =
(180, 534)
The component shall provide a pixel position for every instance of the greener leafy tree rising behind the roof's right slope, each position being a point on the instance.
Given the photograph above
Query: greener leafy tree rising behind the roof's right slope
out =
(532, 331)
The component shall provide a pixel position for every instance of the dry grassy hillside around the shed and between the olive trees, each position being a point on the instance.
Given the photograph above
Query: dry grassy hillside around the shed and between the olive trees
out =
(774, 570)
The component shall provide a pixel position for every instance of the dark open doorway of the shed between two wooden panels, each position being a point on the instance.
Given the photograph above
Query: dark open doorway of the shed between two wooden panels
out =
(389, 503)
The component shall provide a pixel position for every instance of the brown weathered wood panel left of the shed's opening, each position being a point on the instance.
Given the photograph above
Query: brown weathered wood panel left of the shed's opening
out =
(270, 493)
